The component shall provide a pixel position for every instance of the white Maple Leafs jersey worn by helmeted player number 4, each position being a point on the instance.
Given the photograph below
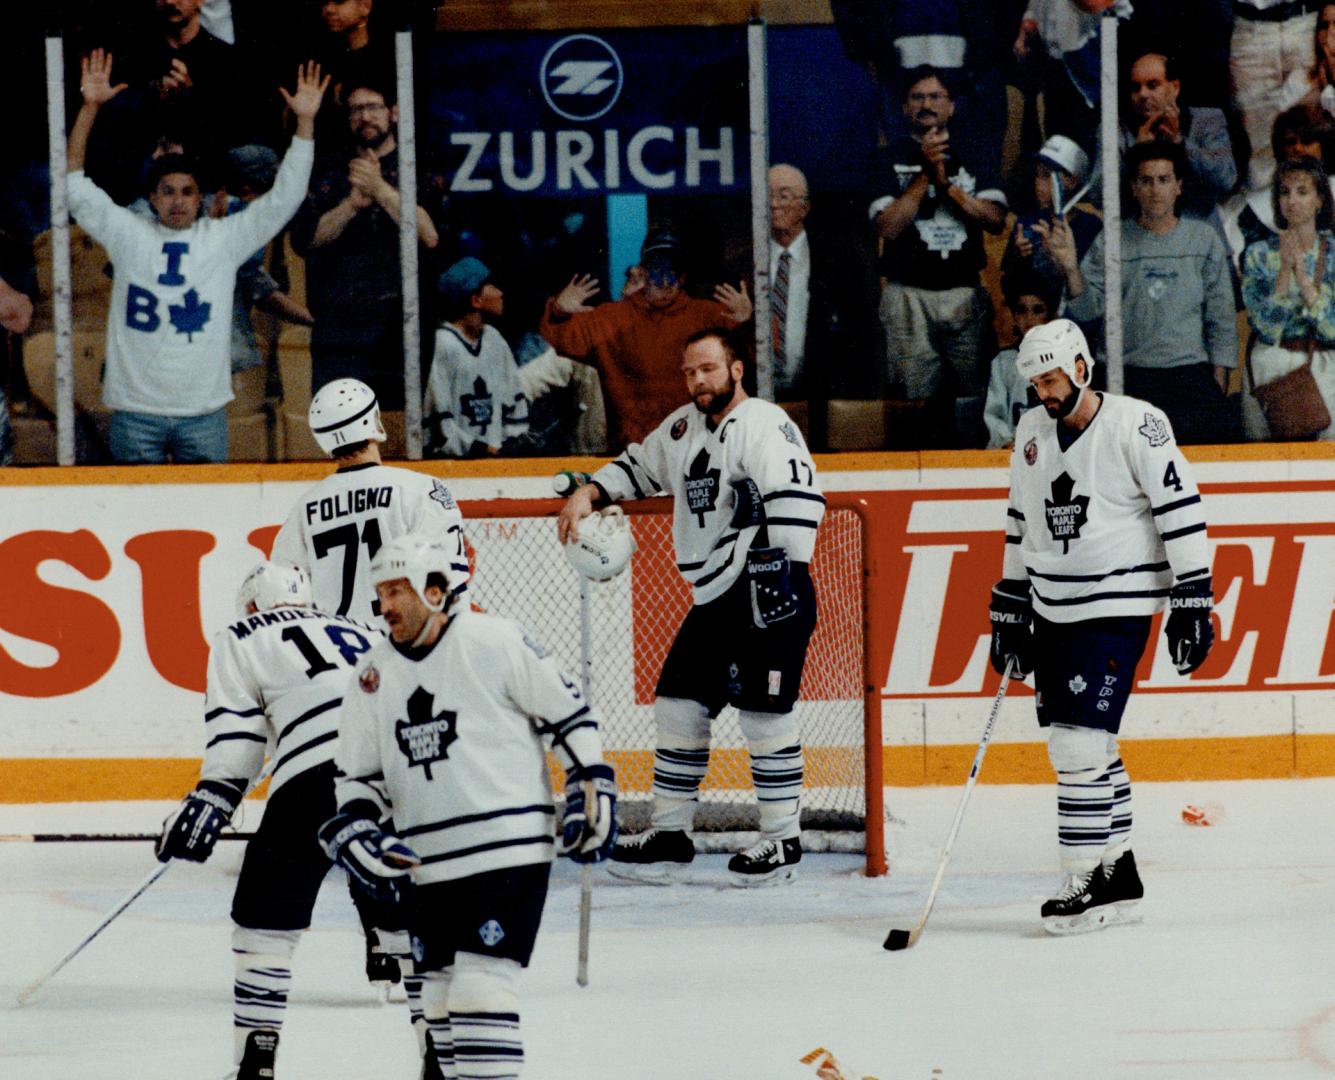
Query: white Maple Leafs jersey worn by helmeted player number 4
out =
(1107, 525)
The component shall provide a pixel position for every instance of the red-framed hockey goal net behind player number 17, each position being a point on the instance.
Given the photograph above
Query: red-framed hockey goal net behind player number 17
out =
(617, 636)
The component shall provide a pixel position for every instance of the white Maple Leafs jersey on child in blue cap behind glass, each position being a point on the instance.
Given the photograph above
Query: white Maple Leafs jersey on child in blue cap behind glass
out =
(479, 393)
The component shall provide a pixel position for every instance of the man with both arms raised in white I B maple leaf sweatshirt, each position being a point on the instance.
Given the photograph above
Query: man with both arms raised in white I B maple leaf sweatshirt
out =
(169, 369)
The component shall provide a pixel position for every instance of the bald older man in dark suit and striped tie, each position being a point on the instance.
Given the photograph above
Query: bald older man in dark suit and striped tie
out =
(823, 304)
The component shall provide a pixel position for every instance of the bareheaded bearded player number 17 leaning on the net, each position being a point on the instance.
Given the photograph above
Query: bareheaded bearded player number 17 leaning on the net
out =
(747, 508)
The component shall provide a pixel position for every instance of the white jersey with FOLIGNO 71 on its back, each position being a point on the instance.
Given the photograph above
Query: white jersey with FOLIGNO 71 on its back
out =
(337, 528)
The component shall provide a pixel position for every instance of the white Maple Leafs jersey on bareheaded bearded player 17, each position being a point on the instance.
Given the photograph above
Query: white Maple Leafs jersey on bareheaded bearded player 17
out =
(698, 465)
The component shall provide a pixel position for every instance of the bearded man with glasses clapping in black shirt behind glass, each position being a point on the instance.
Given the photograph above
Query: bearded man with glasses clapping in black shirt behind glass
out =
(349, 234)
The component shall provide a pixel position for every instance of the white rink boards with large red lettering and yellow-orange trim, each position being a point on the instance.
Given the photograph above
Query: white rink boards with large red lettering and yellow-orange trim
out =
(114, 579)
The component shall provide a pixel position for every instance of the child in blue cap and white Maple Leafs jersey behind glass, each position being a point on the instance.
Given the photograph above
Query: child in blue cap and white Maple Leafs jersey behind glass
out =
(479, 398)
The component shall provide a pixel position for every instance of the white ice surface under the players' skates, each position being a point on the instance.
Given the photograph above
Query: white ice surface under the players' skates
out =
(1230, 975)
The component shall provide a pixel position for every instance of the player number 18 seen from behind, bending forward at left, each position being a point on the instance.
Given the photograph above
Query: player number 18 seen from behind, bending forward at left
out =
(276, 680)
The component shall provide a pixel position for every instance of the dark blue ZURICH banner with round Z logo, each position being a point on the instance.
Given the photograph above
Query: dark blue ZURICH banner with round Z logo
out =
(643, 111)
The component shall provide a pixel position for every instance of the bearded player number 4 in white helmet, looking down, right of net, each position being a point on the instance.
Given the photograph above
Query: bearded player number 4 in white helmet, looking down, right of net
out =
(1105, 529)
